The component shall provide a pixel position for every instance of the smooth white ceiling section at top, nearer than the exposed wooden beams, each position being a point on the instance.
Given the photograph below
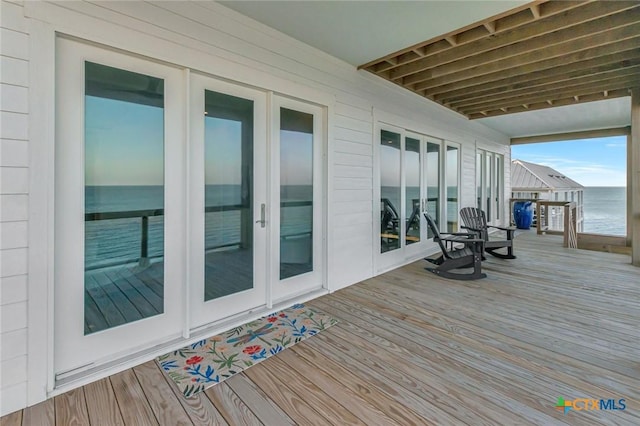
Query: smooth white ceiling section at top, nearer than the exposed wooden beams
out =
(361, 31)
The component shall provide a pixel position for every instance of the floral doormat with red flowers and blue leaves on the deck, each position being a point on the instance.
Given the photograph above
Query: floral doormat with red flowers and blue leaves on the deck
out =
(203, 364)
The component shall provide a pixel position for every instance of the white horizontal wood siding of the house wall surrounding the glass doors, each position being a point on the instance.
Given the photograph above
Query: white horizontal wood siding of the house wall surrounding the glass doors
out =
(210, 38)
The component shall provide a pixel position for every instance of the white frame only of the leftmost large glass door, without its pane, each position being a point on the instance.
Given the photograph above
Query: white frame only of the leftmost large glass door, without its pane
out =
(73, 351)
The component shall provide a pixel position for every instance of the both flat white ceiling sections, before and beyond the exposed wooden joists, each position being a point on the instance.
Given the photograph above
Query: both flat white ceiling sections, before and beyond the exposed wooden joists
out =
(361, 31)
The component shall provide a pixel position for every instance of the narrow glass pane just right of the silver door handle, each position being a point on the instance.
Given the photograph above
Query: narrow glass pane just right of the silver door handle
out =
(296, 193)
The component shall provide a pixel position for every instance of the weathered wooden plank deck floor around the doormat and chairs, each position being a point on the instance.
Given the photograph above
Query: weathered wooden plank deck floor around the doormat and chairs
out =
(412, 348)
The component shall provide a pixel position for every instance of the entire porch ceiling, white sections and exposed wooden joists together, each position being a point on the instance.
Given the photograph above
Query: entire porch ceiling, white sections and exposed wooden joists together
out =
(504, 63)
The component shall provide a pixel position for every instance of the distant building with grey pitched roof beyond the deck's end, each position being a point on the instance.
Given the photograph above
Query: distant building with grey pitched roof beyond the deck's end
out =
(530, 181)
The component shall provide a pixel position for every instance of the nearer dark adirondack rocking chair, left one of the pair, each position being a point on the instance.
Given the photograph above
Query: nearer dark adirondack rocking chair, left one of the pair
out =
(469, 255)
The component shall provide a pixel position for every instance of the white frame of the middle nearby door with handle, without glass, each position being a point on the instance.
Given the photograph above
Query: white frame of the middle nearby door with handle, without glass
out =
(205, 313)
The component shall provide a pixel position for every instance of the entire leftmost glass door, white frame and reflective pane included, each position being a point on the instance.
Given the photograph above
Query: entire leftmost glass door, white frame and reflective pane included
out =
(118, 161)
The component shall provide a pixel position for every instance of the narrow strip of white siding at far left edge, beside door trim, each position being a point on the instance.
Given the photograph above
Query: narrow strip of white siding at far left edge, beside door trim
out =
(14, 188)
